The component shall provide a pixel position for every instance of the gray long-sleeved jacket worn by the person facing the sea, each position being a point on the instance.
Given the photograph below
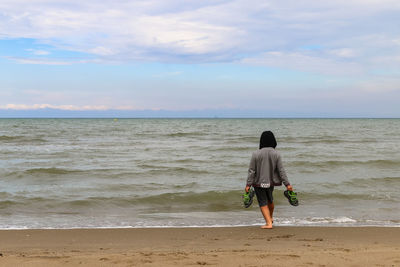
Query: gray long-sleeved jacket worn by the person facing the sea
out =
(266, 169)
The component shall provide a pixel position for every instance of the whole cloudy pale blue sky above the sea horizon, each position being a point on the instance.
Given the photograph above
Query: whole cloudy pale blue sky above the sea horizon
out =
(200, 58)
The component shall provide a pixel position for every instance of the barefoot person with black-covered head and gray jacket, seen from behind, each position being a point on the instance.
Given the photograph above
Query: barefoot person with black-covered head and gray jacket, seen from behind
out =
(265, 172)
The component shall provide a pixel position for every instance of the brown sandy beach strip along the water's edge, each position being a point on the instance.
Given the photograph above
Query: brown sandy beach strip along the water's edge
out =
(238, 246)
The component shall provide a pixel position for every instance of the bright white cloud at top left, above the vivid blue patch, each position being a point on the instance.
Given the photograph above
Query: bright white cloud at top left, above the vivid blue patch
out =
(125, 28)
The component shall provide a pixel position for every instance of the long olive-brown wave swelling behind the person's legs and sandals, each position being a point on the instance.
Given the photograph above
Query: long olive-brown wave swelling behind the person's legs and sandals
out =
(210, 201)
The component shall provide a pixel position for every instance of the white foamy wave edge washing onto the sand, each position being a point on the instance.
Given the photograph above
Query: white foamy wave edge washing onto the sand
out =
(241, 221)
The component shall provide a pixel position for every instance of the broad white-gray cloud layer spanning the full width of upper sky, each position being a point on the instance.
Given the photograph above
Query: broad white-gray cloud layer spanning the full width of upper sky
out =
(352, 36)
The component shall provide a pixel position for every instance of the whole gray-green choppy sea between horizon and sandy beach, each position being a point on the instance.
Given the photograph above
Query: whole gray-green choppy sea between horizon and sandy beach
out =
(142, 173)
